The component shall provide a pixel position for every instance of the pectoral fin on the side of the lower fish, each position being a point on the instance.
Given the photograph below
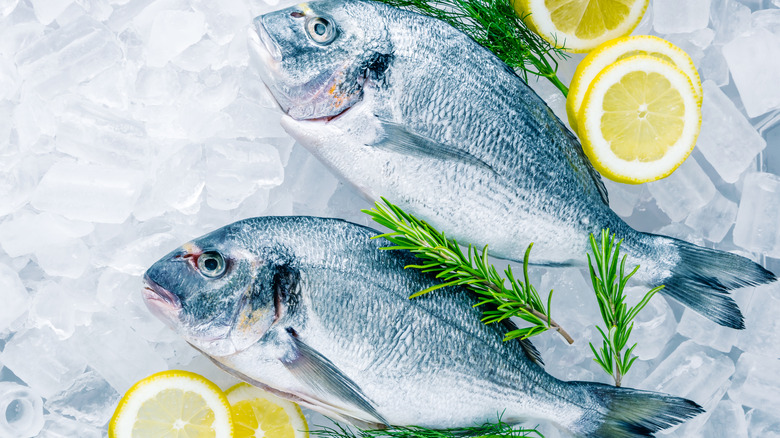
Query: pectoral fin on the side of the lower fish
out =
(320, 374)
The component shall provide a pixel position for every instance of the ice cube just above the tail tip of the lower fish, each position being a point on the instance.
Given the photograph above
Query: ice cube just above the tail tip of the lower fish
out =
(697, 373)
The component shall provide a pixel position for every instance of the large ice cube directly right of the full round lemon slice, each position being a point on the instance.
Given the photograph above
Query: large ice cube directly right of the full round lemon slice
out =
(726, 140)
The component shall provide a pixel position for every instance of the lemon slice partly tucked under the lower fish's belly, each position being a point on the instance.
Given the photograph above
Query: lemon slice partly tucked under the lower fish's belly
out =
(257, 414)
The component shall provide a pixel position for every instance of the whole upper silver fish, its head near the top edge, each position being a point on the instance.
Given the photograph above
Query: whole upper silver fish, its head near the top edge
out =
(406, 107)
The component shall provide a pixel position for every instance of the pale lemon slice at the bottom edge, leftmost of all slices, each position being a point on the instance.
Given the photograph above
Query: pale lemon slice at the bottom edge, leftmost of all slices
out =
(172, 404)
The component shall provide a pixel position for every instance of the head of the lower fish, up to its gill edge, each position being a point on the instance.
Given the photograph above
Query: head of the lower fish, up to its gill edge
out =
(214, 291)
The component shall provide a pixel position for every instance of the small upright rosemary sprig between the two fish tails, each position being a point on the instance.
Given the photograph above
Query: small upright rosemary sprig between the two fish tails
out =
(609, 282)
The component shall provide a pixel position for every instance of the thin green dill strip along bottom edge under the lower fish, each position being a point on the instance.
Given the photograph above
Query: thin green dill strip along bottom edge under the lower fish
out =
(487, 430)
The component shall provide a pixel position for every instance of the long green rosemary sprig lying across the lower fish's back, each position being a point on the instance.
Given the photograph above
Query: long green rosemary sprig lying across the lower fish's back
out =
(472, 270)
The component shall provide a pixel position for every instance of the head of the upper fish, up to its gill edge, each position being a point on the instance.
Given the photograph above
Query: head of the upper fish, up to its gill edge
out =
(316, 57)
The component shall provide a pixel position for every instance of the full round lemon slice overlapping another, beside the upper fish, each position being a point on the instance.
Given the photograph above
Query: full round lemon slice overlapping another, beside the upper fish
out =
(639, 120)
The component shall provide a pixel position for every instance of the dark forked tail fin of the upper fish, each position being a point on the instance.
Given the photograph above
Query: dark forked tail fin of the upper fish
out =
(702, 278)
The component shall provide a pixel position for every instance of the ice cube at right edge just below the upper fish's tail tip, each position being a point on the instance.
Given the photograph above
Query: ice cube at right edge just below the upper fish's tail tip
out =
(762, 332)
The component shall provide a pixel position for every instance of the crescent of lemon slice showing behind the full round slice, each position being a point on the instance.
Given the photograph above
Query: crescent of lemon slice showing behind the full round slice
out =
(622, 48)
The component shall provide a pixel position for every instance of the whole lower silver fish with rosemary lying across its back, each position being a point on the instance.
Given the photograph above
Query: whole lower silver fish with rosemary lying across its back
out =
(313, 310)
